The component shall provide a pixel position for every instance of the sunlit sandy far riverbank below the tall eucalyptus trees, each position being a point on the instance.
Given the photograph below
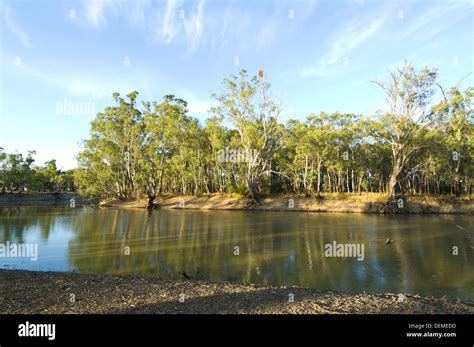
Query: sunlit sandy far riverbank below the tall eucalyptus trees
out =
(348, 203)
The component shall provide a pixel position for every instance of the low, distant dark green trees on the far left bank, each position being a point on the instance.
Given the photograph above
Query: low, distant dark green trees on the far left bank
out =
(19, 174)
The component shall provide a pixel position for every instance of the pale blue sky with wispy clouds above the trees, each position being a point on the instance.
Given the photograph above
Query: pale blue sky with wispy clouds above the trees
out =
(318, 56)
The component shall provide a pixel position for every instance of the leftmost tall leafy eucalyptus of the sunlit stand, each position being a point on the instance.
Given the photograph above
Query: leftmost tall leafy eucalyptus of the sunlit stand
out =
(109, 163)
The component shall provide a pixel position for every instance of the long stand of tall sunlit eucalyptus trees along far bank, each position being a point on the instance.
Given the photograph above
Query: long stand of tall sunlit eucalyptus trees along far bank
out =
(419, 146)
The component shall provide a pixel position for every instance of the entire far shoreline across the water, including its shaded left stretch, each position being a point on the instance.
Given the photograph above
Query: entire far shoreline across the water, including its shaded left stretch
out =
(342, 203)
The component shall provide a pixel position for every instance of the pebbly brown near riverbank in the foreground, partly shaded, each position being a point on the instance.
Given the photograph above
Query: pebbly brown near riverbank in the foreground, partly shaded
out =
(29, 292)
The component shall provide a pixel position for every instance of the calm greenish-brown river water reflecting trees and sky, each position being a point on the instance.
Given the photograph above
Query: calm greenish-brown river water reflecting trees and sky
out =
(279, 248)
